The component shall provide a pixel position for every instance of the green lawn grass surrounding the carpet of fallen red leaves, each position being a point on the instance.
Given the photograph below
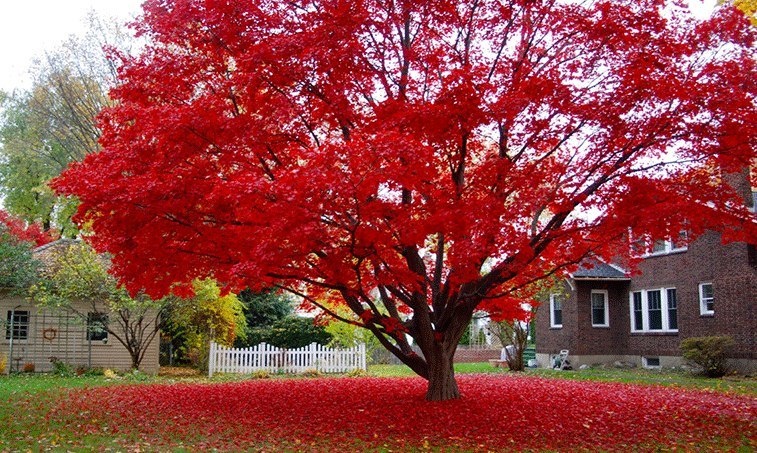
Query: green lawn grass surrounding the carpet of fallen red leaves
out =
(25, 399)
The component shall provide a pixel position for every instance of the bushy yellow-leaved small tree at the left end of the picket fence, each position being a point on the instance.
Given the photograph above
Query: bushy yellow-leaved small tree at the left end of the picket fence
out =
(207, 316)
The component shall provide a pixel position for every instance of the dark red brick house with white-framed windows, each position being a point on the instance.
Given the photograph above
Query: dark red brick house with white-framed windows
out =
(700, 289)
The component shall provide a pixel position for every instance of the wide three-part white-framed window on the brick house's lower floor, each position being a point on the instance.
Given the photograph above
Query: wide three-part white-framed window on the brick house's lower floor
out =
(654, 310)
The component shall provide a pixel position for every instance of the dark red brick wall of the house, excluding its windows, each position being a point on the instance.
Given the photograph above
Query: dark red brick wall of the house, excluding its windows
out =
(734, 282)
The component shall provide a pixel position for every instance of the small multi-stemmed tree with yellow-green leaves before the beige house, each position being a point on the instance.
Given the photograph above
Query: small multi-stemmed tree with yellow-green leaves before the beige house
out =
(75, 279)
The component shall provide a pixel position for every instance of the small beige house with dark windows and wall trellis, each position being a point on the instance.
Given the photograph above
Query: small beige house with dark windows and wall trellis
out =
(33, 337)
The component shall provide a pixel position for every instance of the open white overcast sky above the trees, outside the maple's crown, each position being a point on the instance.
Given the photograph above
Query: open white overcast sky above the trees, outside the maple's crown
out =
(29, 27)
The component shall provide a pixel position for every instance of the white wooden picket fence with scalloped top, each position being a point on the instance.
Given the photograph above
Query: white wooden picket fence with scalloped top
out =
(275, 360)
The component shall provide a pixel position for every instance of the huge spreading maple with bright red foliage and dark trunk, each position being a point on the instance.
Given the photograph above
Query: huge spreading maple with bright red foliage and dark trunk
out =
(415, 160)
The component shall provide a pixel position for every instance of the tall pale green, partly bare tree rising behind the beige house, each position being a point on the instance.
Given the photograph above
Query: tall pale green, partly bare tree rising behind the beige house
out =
(45, 128)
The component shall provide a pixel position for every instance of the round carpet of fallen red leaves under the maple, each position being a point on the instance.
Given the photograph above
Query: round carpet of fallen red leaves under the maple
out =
(496, 413)
